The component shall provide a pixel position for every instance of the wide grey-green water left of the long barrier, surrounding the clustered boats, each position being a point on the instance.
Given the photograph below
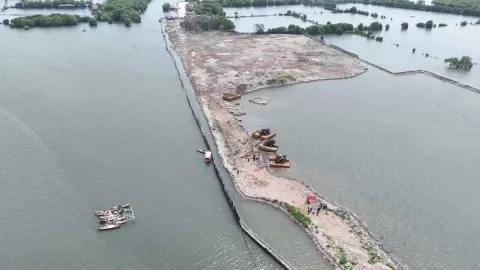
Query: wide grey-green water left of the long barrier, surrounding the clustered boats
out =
(97, 118)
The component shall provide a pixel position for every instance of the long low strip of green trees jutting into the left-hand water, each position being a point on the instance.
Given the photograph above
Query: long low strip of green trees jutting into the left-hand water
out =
(53, 20)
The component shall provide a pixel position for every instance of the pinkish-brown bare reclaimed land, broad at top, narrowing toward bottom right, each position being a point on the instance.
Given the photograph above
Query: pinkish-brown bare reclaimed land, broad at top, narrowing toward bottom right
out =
(219, 62)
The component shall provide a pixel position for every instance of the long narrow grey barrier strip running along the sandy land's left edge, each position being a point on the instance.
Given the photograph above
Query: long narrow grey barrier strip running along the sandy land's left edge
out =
(211, 144)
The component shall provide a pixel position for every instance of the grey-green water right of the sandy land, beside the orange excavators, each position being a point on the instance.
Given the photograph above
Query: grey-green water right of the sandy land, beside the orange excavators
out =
(401, 152)
